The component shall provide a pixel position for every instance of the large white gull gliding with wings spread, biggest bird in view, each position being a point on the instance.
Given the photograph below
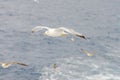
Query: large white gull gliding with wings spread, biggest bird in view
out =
(56, 32)
